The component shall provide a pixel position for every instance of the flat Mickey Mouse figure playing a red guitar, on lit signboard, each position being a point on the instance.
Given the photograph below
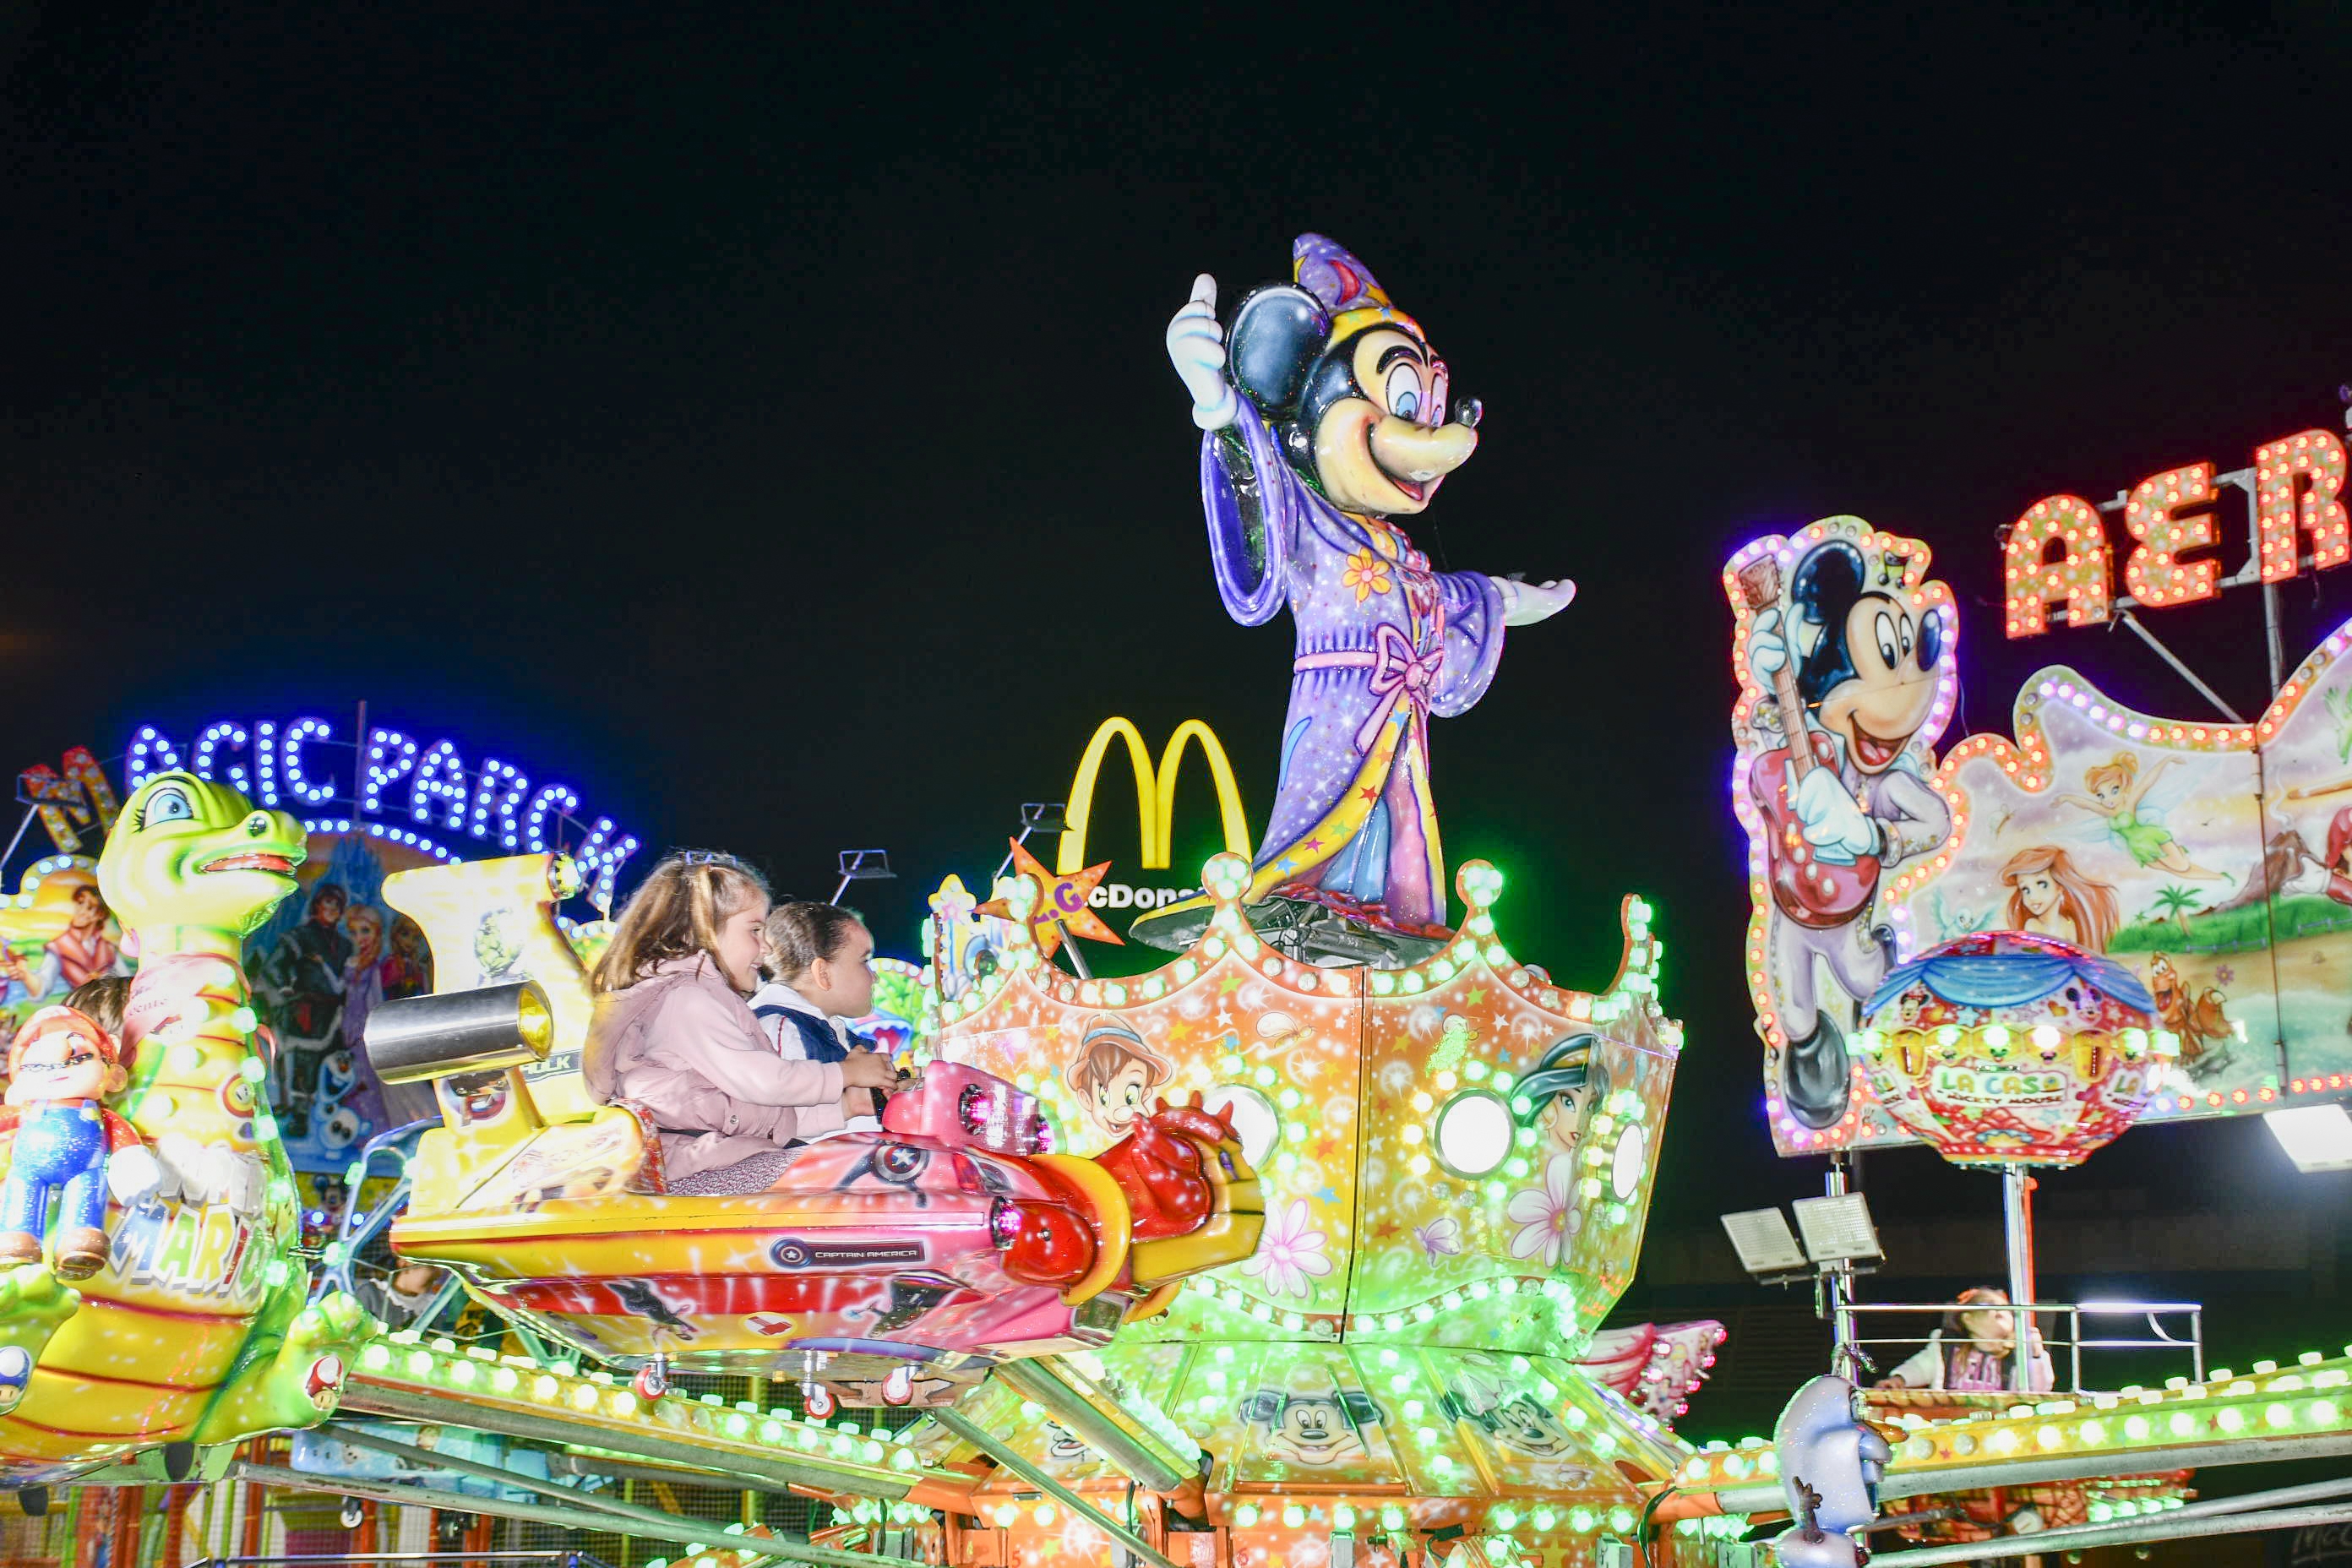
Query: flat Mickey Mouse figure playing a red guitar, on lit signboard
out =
(1843, 798)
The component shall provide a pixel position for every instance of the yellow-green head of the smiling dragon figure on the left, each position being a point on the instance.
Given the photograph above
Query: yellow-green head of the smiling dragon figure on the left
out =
(189, 852)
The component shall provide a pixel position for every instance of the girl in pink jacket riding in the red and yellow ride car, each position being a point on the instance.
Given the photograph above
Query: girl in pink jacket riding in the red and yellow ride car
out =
(676, 1038)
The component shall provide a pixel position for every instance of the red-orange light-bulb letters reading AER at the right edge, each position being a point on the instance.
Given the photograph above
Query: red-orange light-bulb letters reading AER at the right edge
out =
(2057, 554)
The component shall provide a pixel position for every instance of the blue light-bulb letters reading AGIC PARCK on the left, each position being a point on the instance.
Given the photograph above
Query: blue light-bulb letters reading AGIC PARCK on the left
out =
(406, 791)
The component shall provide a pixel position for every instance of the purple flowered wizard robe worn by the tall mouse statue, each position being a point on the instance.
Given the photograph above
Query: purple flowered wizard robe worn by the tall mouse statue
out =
(1384, 643)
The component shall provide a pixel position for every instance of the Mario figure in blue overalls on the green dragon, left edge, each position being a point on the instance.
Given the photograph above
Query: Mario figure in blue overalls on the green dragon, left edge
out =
(62, 1066)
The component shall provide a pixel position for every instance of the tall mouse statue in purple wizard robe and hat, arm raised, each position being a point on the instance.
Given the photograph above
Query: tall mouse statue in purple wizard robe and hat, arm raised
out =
(1323, 420)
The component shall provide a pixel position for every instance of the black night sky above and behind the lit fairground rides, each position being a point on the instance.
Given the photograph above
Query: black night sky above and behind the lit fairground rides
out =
(766, 424)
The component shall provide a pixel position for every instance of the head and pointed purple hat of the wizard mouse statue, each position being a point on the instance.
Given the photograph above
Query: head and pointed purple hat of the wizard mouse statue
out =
(1351, 384)
